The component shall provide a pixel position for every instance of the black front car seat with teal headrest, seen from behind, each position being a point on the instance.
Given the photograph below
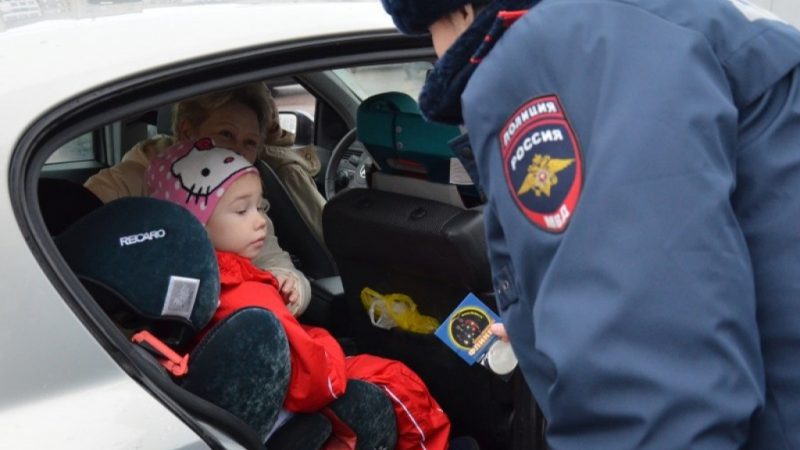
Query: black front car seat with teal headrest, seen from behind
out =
(431, 251)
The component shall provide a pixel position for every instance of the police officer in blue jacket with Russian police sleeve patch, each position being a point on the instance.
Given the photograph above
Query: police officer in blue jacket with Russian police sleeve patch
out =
(641, 163)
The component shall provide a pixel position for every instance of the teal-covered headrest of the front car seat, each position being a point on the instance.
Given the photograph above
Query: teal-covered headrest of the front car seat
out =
(401, 141)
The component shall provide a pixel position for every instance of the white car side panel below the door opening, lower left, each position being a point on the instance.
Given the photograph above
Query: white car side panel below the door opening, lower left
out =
(60, 387)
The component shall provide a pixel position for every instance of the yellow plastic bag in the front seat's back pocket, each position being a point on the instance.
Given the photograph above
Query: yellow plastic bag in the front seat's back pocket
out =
(396, 310)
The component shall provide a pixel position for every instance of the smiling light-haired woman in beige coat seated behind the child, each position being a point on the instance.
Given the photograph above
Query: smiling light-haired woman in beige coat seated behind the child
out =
(238, 119)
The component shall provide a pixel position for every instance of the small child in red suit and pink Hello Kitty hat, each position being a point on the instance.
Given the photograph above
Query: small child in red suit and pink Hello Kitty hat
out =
(223, 190)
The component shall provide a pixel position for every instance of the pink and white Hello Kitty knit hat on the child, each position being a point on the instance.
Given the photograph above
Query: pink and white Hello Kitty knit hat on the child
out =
(195, 175)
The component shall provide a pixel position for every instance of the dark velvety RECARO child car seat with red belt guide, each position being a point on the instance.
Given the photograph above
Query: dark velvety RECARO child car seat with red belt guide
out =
(150, 266)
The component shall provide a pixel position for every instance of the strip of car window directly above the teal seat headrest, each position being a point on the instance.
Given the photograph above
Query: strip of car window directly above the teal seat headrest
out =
(365, 81)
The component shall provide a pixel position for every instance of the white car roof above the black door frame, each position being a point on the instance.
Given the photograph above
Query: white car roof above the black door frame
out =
(46, 63)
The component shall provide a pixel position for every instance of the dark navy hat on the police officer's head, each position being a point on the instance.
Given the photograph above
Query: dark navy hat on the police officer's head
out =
(415, 16)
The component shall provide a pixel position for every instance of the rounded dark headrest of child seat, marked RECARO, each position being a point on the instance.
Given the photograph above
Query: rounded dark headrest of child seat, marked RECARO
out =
(152, 259)
